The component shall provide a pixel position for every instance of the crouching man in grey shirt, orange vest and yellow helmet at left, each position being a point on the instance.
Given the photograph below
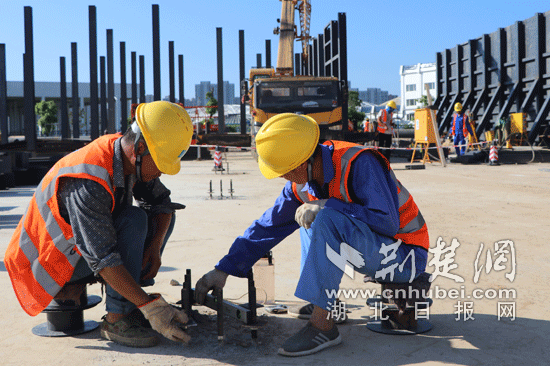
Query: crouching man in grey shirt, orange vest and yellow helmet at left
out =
(81, 224)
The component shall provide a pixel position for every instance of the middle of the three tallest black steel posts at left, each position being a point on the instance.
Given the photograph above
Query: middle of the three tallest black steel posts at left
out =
(94, 106)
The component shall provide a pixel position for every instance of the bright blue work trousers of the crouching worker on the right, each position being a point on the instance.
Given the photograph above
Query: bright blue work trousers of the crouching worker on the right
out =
(336, 240)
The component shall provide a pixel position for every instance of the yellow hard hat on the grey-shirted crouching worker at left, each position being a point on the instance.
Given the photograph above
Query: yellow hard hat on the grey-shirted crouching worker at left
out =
(167, 130)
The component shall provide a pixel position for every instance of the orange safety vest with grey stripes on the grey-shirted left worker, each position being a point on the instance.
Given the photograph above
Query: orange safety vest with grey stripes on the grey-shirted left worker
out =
(42, 253)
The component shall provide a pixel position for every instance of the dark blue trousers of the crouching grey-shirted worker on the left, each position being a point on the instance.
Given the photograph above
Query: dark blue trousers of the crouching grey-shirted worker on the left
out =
(132, 226)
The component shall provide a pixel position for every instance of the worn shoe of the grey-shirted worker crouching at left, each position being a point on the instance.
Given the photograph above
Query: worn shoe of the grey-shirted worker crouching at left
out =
(128, 333)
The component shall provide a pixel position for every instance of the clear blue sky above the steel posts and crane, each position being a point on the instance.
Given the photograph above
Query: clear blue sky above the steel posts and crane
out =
(382, 35)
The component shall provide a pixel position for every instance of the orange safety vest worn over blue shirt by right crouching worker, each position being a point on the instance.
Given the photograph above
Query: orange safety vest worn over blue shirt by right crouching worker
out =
(412, 227)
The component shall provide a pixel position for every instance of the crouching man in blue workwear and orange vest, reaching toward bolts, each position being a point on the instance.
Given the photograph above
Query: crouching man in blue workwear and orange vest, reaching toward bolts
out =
(345, 198)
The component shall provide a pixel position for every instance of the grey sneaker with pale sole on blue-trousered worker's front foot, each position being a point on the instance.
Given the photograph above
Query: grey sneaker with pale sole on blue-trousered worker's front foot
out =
(310, 340)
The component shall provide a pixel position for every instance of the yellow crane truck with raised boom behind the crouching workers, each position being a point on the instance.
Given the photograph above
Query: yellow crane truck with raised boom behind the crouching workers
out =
(273, 91)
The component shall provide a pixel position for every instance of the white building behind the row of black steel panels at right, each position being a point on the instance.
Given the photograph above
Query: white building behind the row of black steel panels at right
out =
(413, 79)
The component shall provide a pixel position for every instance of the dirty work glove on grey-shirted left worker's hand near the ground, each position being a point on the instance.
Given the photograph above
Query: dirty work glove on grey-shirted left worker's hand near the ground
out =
(164, 318)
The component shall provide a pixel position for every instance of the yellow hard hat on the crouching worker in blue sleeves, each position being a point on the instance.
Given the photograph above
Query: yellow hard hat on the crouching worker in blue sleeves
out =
(284, 142)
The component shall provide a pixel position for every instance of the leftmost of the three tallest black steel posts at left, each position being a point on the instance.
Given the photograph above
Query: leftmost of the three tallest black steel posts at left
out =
(28, 81)
